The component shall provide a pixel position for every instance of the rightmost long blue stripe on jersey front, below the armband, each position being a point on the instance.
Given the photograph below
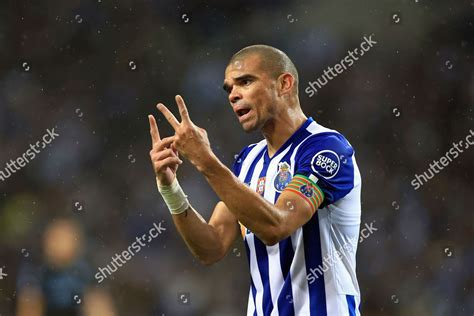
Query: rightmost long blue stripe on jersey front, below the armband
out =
(313, 259)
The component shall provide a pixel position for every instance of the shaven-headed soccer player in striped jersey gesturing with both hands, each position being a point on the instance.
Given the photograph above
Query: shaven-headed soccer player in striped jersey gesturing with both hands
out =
(294, 196)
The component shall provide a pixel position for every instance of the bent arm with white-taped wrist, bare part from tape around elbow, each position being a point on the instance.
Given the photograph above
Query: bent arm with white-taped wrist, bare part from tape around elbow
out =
(208, 242)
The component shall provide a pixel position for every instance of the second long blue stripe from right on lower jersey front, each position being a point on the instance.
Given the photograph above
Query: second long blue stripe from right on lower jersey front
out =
(285, 300)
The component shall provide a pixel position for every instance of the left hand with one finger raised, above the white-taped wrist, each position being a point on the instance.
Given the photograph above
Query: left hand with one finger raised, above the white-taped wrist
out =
(164, 156)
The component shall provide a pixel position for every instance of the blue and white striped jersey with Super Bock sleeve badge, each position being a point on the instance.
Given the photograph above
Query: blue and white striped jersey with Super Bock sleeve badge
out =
(313, 271)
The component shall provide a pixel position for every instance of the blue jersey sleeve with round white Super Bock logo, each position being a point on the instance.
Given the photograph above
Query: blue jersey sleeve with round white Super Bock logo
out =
(326, 160)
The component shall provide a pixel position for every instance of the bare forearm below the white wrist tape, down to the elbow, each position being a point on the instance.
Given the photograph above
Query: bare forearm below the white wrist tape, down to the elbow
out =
(199, 236)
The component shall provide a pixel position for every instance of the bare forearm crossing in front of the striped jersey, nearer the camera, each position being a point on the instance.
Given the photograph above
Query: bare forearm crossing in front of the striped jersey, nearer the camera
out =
(254, 212)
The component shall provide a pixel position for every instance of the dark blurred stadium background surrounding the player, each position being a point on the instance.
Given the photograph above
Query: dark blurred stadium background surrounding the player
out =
(94, 69)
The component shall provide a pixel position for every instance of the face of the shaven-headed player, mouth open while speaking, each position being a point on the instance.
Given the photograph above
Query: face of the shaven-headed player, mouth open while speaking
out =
(252, 92)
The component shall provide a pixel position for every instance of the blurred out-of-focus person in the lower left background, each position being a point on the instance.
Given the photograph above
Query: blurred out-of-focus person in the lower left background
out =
(59, 286)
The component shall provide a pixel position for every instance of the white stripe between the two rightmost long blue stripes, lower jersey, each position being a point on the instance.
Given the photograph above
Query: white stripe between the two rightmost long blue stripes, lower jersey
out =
(299, 283)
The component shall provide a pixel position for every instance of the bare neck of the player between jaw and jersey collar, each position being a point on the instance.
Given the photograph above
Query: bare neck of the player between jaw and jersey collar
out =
(278, 131)
